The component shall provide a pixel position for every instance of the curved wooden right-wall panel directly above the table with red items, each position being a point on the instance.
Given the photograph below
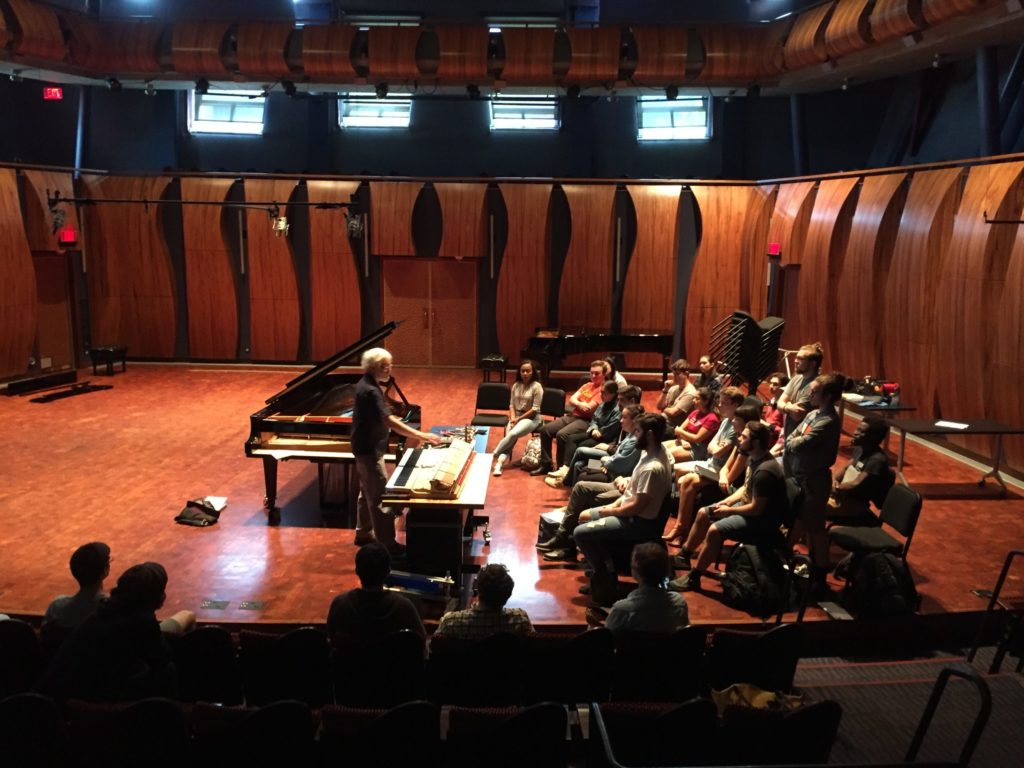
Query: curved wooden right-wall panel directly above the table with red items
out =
(861, 287)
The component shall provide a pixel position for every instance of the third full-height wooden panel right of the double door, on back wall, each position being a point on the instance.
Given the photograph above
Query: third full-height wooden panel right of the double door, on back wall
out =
(650, 292)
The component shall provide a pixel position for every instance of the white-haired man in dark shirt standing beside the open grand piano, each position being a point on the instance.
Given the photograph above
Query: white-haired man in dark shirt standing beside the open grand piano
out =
(372, 420)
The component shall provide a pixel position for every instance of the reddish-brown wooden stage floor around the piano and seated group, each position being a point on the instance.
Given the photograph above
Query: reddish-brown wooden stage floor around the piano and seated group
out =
(118, 465)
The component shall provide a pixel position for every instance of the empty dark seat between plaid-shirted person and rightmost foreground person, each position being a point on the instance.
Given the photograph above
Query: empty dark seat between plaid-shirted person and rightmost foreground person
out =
(561, 667)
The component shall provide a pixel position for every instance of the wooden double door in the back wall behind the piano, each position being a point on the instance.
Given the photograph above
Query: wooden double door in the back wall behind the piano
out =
(437, 298)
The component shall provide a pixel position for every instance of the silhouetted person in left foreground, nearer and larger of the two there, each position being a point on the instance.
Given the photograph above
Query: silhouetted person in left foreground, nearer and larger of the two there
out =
(119, 653)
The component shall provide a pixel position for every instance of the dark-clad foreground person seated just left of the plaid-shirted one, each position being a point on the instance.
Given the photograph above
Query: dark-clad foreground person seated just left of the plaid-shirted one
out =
(370, 612)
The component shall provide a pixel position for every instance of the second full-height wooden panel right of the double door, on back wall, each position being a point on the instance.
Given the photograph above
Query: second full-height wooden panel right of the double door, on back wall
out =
(585, 293)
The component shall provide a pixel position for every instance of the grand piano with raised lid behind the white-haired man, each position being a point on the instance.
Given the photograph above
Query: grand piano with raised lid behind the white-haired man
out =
(312, 419)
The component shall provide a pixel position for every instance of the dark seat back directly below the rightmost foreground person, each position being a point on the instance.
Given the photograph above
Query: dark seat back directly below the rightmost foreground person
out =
(659, 668)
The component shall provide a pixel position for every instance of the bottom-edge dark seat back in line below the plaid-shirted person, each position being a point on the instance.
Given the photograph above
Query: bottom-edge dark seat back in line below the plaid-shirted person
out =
(510, 738)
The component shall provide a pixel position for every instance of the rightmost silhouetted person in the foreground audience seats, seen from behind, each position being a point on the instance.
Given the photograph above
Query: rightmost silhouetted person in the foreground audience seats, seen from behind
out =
(651, 608)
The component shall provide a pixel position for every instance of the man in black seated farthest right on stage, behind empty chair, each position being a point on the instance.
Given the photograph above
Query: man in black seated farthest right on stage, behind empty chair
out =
(867, 479)
